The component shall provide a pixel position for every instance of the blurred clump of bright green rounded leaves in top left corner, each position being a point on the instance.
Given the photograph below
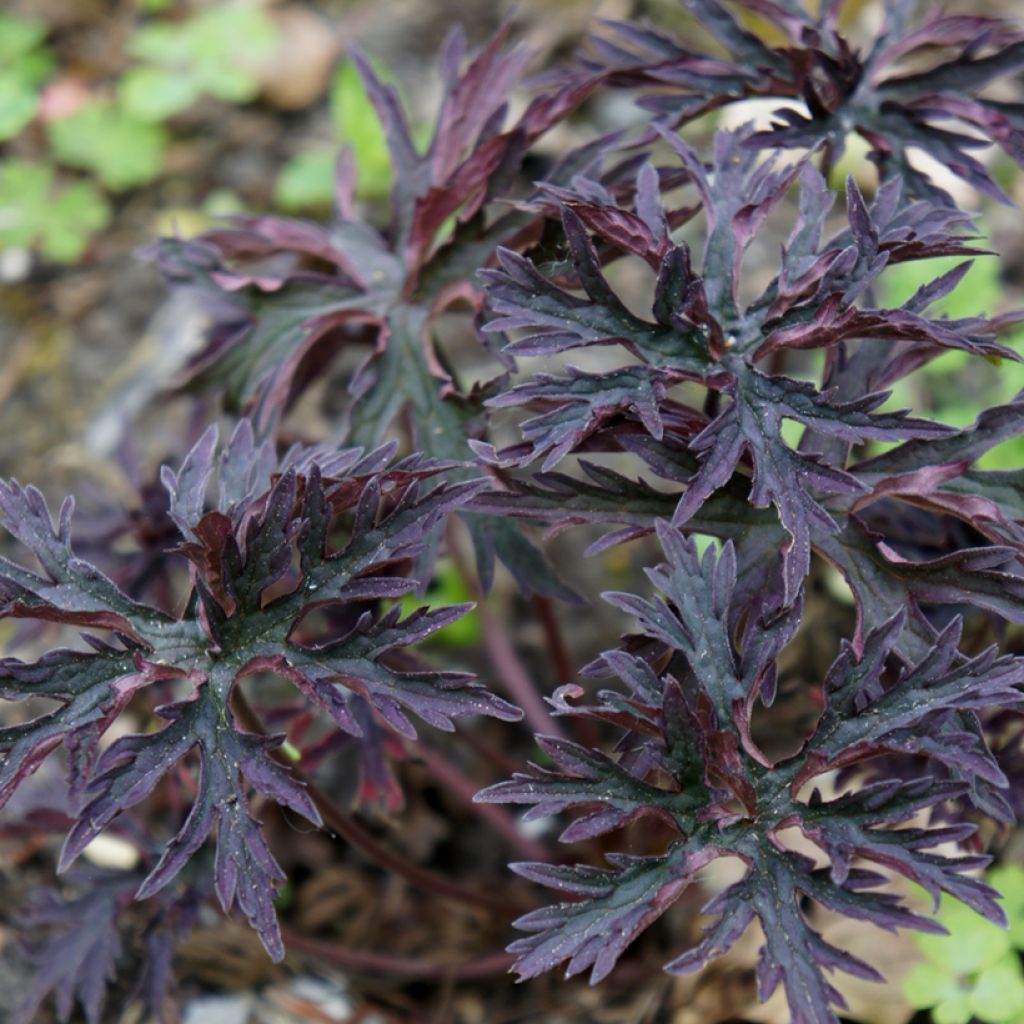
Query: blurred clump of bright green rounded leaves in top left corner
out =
(117, 138)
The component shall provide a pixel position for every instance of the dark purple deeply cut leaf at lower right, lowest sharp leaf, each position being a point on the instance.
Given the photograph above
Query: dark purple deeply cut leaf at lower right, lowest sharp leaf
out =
(690, 761)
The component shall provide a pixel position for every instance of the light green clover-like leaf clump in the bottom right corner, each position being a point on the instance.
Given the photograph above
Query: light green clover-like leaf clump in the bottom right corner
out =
(974, 973)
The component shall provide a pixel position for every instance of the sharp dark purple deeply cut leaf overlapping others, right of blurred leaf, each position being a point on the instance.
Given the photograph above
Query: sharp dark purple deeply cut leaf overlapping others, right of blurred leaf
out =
(699, 332)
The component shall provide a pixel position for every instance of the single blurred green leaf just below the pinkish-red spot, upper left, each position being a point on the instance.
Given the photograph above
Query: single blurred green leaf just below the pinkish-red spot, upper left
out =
(121, 150)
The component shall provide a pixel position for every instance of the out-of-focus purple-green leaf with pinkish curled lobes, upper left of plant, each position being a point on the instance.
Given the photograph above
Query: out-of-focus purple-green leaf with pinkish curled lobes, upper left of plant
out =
(278, 322)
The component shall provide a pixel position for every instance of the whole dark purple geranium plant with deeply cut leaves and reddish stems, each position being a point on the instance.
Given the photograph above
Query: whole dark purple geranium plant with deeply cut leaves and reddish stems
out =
(740, 422)
